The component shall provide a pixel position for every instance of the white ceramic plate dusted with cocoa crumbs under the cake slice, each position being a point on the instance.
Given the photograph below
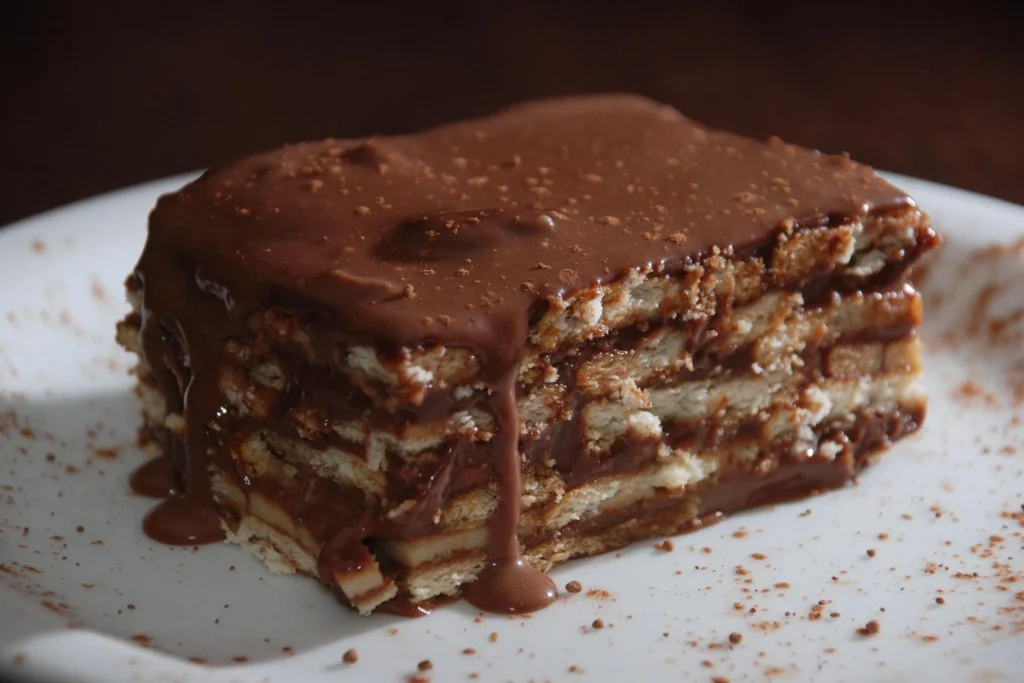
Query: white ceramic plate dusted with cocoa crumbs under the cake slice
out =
(949, 502)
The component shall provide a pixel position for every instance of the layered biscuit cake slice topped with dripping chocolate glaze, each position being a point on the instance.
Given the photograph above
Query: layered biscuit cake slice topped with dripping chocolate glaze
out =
(437, 365)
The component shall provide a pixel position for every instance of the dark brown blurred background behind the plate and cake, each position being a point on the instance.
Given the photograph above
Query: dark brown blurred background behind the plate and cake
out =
(100, 96)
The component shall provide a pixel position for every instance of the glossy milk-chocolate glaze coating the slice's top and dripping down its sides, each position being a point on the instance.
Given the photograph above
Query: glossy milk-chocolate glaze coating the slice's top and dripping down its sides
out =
(460, 236)
